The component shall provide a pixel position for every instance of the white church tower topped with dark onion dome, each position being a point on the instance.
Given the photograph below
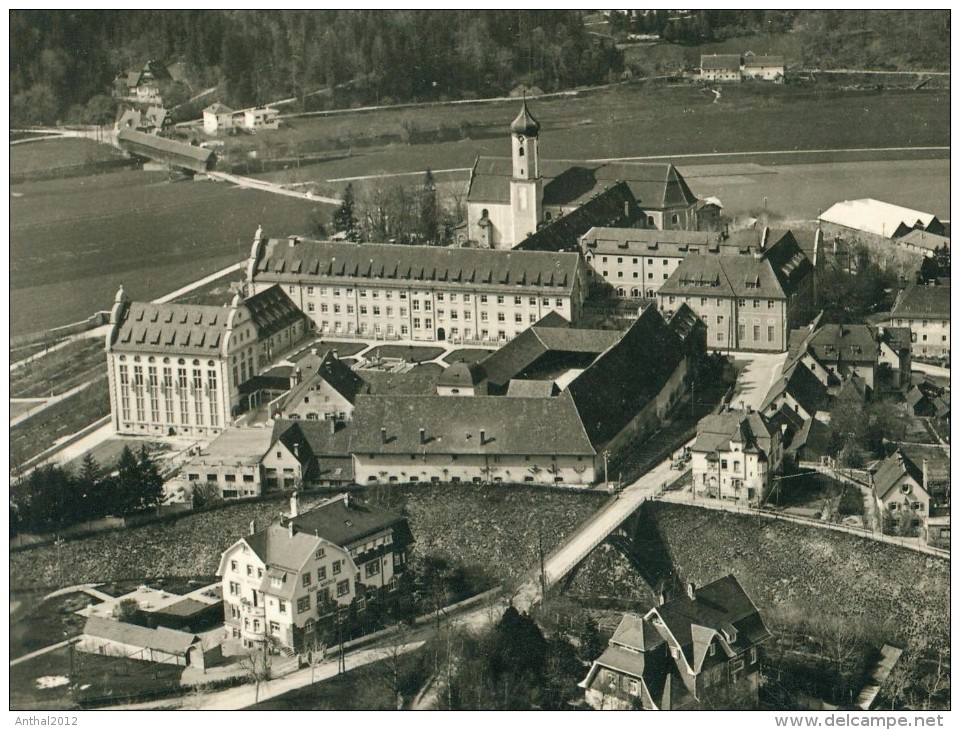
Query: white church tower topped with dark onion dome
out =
(526, 185)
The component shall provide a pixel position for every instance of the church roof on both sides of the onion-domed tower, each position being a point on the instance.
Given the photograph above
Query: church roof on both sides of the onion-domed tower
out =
(655, 186)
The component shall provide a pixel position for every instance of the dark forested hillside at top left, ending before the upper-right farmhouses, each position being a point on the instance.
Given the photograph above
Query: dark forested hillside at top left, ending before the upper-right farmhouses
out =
(61, 59)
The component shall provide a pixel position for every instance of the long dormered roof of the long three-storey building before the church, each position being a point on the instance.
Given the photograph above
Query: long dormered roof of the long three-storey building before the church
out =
(315, 261)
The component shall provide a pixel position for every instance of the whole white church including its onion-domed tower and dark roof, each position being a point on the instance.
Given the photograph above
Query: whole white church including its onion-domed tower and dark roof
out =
(509, 199)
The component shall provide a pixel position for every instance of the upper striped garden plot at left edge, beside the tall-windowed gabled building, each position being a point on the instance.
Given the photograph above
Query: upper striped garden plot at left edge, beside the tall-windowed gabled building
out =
(60, 370)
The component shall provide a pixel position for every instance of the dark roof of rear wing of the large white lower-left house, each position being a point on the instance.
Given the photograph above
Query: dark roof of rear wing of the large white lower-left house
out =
(348, 524)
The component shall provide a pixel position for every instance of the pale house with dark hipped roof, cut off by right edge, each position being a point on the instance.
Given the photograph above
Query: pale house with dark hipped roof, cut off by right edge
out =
(925, 310)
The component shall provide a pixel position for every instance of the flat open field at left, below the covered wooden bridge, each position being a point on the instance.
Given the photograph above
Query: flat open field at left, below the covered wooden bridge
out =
(73, 241)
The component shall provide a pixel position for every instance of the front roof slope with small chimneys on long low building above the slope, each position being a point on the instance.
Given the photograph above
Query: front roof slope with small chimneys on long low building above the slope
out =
(452, 425)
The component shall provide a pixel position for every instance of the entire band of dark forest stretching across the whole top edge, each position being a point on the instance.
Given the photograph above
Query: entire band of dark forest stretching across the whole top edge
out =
(63, 63)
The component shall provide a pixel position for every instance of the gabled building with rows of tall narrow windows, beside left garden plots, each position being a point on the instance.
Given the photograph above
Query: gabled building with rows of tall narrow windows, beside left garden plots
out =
(180, 368)
